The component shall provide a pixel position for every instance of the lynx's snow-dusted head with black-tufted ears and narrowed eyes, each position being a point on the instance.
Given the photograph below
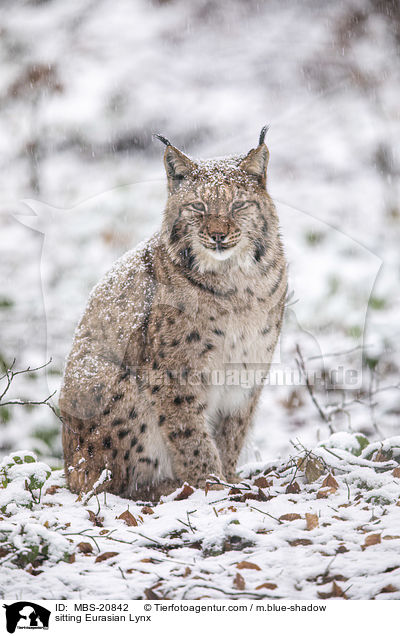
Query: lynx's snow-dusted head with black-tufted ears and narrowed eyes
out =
(218, 214)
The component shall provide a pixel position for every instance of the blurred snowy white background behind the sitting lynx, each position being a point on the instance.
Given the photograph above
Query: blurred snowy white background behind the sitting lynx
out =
(83, 85)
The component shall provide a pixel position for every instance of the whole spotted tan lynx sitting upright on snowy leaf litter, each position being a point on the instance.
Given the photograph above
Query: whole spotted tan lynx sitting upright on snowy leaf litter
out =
(149, 391)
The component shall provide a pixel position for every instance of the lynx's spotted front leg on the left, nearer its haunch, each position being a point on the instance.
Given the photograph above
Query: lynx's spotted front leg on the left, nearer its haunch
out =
(193, 451)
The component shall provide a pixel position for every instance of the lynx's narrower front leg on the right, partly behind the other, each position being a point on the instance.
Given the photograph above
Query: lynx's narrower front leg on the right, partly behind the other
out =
(231, 432)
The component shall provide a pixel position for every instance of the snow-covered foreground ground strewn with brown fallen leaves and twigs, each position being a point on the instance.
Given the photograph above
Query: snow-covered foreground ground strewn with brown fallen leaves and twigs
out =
(288, 530)
